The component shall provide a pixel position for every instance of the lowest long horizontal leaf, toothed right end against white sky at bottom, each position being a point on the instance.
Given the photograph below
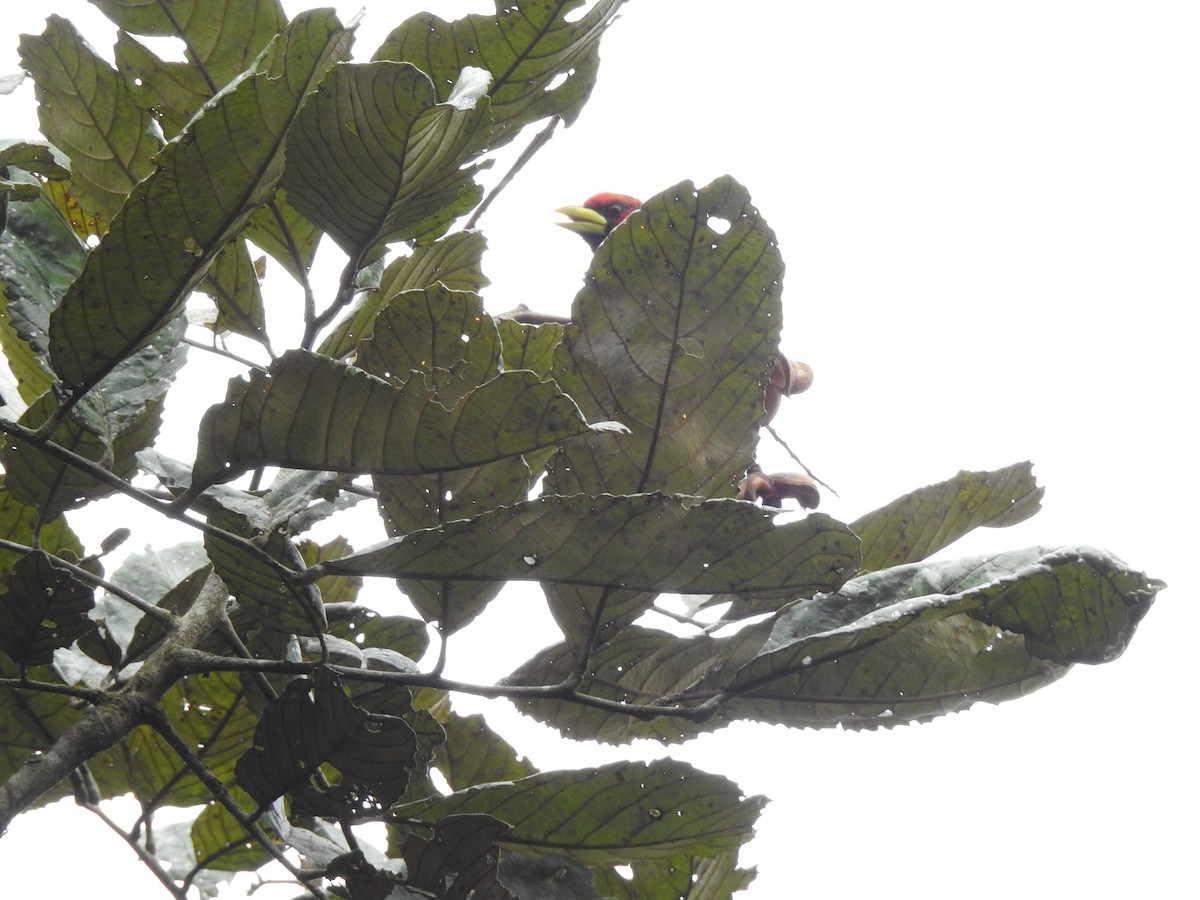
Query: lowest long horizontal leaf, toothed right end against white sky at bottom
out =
(615, 814)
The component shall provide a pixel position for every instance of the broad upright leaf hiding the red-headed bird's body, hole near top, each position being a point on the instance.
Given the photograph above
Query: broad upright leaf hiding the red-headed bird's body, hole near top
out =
(674, 333)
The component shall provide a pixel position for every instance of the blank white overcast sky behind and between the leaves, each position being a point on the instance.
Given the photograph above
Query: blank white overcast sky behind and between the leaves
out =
(989, 214)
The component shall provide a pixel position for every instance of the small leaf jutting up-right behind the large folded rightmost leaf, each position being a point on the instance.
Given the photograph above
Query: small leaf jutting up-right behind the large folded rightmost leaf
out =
(925, 521)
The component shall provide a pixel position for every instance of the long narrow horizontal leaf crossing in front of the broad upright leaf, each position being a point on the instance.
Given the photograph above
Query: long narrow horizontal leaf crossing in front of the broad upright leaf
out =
(644, 542)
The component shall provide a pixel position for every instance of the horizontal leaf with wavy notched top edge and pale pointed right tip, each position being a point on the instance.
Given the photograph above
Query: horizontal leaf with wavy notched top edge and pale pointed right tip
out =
(315, 413)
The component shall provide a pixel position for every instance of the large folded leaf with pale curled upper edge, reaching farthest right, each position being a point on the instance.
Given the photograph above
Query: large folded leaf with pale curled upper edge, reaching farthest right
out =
(897, 646)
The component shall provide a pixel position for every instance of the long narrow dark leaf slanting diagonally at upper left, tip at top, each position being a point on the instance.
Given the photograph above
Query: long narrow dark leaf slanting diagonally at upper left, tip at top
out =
(177, 221)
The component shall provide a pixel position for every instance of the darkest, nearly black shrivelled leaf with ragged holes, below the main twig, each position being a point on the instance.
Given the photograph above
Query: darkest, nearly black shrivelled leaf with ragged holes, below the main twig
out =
(315, 723)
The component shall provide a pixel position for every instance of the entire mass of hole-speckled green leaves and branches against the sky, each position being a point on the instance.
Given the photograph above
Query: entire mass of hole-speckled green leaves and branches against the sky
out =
(239, 674)
